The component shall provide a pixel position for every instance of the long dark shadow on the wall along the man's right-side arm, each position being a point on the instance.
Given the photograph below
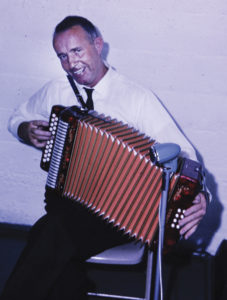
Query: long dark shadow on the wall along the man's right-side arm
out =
(201, 239)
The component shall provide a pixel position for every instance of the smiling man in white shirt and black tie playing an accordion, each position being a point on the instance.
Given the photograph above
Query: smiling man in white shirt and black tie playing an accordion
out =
(51, 266)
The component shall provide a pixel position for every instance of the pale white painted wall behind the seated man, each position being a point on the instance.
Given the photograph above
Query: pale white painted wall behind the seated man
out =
(177, 48)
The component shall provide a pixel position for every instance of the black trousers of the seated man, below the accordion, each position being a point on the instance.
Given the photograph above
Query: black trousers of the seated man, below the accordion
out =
(52, 263)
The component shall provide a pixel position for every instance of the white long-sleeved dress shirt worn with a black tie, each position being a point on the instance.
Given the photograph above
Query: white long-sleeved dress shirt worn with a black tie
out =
(115, 96)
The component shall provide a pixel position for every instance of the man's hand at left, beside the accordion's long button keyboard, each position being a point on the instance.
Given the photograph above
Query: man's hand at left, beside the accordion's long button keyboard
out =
(34, 132)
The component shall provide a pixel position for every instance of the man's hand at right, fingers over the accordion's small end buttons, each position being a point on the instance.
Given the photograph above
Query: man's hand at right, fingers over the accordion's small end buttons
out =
(193, 216)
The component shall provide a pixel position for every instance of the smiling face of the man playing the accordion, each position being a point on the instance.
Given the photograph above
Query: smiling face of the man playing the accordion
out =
(80, 56)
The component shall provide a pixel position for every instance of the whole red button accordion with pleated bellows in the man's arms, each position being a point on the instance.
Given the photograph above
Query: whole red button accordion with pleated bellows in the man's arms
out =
(105, 165)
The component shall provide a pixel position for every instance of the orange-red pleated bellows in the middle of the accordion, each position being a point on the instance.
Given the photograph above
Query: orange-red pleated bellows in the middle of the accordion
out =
(111, 174)
